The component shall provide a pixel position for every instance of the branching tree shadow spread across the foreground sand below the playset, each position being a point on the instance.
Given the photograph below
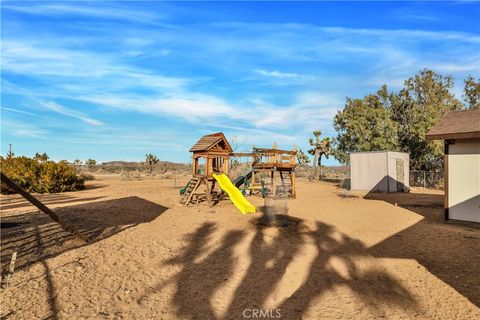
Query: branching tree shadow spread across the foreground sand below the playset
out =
(270, 255)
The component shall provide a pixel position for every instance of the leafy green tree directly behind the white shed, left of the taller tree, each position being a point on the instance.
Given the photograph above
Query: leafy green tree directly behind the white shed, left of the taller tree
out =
(365, 125)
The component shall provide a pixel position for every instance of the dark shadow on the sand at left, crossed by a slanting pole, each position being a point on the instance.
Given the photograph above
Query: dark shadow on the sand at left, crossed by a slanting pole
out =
(36, 237)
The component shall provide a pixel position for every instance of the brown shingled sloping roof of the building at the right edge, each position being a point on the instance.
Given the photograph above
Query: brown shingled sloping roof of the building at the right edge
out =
(462, 124)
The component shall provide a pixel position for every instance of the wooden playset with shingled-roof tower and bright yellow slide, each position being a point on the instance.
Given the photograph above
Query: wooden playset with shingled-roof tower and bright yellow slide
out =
(272, 172)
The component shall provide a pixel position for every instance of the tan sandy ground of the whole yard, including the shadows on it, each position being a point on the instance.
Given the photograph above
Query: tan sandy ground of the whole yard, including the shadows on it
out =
(343, 256)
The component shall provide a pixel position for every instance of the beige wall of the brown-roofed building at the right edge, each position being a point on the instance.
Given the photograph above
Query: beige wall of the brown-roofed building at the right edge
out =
(464, 180)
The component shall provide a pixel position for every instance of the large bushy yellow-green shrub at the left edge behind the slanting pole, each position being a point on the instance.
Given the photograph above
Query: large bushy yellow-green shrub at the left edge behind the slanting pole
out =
(35, 176)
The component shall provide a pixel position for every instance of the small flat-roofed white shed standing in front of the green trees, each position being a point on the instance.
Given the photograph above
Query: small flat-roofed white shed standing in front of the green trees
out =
(379, 171)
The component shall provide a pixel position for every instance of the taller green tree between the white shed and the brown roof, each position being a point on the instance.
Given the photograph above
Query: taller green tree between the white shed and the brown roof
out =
(423, 101)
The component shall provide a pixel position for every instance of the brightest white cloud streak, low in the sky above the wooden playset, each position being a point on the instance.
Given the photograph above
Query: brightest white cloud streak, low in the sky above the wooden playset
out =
(309, 110)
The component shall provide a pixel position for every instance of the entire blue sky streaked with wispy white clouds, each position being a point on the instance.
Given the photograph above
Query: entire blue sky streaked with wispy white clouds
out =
(116, 80)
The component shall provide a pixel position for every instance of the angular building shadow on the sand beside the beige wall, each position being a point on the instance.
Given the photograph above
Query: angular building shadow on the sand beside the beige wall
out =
(449, 251)
